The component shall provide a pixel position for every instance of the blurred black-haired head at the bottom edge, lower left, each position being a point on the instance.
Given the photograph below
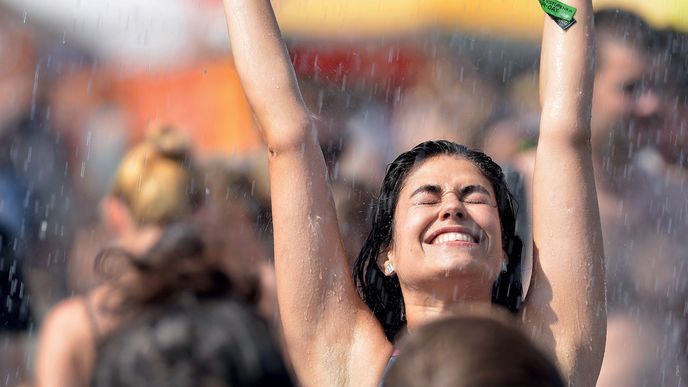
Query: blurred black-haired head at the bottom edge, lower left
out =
(192, 343)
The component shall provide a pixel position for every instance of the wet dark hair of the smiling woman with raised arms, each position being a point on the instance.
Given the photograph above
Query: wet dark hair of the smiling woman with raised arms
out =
(381, 293)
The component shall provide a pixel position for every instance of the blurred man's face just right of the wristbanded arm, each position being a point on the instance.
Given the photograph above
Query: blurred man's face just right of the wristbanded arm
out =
(617, 92)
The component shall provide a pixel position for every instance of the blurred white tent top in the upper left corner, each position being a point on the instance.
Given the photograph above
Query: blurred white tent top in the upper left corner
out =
(132, 32)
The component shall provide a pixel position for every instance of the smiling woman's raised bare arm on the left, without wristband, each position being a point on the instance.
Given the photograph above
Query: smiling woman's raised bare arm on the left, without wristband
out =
(330, 333)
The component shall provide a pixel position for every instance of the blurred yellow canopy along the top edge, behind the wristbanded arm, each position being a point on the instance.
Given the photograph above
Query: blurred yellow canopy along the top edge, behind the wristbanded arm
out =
(512, 19)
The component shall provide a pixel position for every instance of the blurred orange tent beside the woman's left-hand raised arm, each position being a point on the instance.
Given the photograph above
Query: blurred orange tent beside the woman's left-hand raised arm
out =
(205, 101)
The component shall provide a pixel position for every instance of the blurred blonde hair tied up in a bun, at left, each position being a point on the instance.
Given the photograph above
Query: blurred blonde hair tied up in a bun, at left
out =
(158, 179)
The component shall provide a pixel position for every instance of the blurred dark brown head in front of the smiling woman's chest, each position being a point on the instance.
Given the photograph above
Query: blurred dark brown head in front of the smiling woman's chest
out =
(471, 351)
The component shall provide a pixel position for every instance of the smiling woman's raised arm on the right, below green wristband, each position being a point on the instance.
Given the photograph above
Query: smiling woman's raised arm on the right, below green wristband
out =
(566, 306)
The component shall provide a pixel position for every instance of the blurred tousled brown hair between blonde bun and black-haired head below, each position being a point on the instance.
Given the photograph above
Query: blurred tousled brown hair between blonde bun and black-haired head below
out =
(176, 264)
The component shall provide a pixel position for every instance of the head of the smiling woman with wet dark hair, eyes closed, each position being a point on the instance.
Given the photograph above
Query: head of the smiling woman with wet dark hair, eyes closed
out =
(435, 189)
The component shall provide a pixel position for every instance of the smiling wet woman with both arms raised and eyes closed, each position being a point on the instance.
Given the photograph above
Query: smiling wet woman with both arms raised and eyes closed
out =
(443, 226)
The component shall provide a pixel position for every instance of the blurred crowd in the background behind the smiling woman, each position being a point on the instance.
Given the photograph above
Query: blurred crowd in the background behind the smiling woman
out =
(135, 216)
